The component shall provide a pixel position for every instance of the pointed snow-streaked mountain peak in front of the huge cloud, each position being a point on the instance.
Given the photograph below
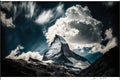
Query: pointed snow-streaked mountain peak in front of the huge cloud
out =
(60, 53)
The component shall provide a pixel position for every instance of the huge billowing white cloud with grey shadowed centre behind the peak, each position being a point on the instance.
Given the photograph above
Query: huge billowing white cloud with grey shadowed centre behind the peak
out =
(77, 27)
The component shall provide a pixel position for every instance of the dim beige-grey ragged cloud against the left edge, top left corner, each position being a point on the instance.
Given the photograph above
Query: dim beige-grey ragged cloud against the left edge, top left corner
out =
(7, 22)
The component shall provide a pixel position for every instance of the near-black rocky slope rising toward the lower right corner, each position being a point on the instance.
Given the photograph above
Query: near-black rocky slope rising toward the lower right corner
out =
(106, 66)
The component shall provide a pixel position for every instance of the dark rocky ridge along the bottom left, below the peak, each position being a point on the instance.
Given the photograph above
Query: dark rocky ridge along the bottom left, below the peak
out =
(22, 68)
